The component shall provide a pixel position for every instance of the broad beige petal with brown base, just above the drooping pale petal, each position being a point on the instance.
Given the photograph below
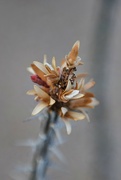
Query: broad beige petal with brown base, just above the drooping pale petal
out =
(75, 115)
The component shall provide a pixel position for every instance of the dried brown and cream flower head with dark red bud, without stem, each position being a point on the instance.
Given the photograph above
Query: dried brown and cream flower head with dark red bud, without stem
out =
(60, 89)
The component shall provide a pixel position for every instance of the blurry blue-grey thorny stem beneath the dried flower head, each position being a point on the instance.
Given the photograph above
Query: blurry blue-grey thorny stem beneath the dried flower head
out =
(41, 159)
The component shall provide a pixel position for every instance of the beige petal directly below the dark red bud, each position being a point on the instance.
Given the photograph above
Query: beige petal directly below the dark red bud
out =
(41, 93)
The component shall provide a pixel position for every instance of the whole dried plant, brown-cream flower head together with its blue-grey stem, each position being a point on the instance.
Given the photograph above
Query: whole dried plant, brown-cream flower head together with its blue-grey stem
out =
(63, 94)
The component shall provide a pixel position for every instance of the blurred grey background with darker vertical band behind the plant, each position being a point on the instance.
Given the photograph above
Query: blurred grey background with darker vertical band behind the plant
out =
(28, 30)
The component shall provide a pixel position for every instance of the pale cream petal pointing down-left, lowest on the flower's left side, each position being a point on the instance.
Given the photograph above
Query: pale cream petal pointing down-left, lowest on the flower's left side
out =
(39, 108)
